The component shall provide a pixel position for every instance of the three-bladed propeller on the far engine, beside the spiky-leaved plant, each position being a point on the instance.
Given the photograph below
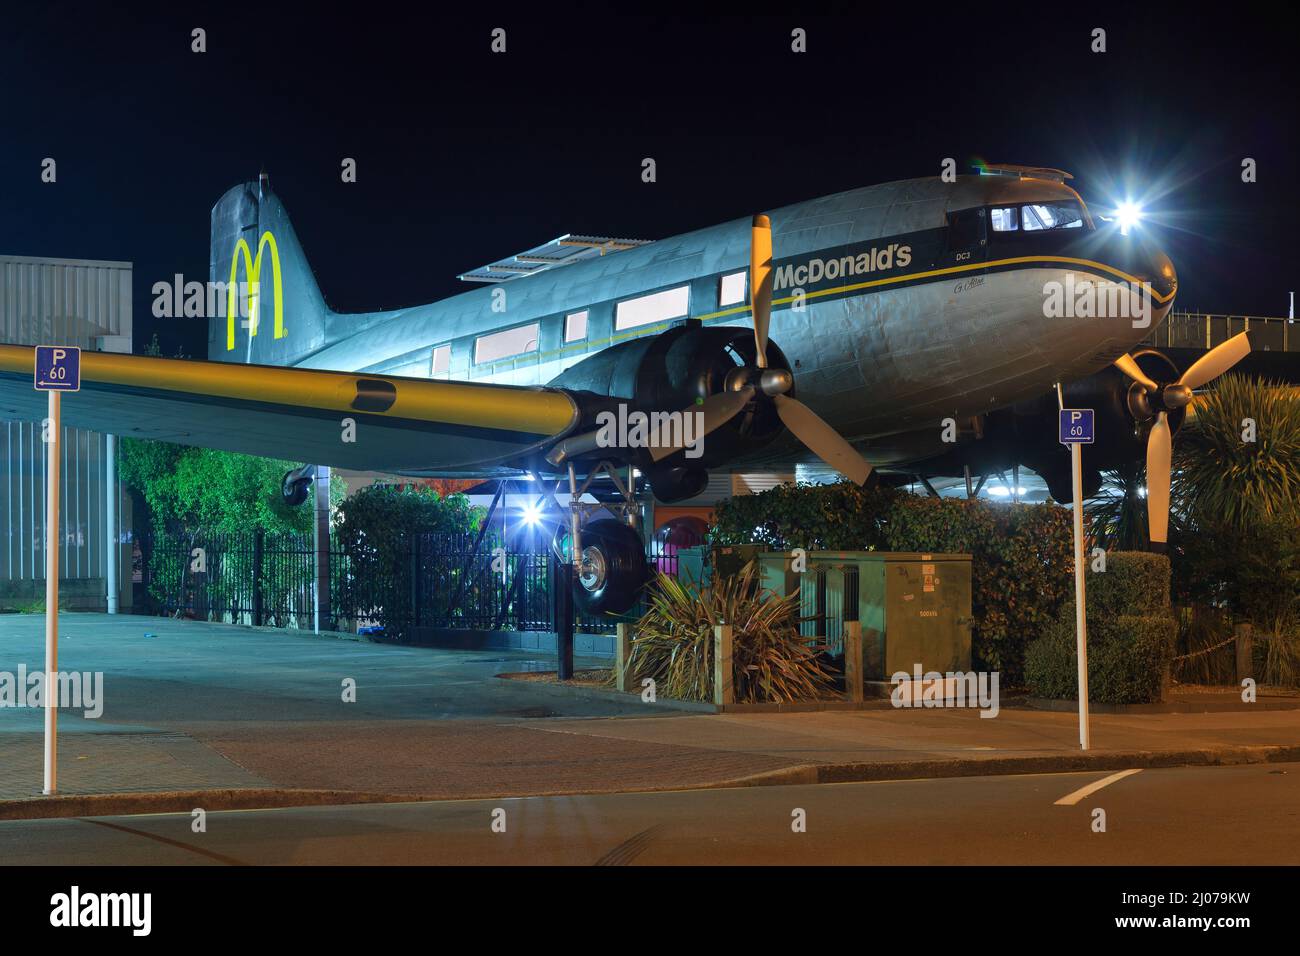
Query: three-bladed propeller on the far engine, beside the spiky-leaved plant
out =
(1160, 400)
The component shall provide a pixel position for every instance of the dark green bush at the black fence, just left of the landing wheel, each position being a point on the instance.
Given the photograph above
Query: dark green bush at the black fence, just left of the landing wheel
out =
(376, 531)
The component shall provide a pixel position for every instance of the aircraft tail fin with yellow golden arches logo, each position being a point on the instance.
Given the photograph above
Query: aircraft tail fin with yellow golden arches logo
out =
(270, 309)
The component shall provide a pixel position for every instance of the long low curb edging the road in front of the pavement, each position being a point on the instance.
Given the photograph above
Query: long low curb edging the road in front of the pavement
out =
(801, 775)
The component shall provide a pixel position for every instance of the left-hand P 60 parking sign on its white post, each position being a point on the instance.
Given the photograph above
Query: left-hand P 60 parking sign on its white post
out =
(58, 370)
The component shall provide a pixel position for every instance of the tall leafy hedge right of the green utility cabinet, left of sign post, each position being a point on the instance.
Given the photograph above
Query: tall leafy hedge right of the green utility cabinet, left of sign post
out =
(1021, 566)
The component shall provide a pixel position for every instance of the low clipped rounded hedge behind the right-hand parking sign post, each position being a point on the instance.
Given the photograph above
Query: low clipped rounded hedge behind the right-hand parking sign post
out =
(1132, 637)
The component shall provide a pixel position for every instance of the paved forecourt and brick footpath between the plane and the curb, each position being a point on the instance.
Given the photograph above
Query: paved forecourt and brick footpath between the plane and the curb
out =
(258, 719)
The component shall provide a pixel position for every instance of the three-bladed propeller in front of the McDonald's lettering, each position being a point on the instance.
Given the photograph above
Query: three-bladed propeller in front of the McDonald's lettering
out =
(746, 384)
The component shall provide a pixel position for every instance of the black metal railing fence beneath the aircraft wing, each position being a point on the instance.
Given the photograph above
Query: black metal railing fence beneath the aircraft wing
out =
(444, 581)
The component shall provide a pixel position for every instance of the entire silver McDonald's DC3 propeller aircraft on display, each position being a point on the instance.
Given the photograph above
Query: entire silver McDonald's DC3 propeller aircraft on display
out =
(848, 328)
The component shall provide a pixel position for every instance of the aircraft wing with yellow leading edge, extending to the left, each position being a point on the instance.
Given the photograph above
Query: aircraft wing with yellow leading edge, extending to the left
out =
(404, 426)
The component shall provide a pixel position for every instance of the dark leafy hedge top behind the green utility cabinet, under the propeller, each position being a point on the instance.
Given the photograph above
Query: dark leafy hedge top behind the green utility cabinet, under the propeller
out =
(839, 517)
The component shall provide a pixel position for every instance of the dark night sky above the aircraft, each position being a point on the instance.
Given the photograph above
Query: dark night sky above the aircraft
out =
(466, 157)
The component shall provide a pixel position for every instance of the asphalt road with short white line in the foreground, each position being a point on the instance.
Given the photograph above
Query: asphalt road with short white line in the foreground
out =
(1197, 816)
